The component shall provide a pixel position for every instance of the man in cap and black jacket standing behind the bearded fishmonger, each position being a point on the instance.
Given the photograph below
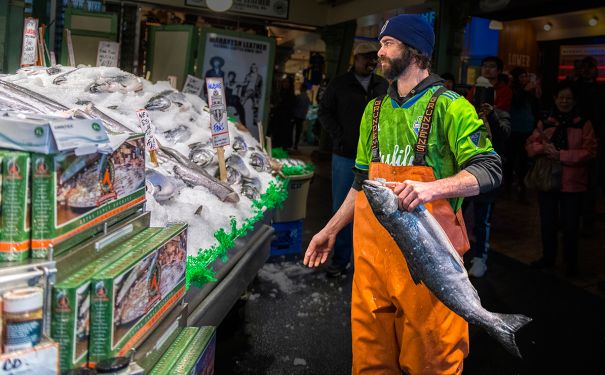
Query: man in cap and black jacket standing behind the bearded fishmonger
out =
(340, 111)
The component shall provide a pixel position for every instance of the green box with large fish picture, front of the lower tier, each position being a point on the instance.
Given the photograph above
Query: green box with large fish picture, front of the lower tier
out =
(130, 297)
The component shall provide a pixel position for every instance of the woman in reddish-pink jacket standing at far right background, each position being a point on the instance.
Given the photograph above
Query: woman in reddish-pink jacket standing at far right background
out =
(566, 136)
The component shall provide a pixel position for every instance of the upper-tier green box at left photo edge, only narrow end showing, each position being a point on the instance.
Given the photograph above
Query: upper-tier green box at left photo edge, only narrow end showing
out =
(15, 218)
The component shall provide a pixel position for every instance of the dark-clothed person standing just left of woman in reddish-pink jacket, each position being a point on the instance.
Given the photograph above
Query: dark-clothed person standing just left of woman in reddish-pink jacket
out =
(523, 108)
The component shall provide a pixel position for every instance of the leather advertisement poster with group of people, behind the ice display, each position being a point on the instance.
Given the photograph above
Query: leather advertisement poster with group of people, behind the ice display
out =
(245, 63)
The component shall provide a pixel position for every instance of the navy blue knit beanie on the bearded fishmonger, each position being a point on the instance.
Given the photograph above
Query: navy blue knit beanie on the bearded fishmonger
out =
(412, 30)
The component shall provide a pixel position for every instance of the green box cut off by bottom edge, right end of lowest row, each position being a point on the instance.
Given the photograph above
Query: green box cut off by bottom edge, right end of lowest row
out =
(198, 359)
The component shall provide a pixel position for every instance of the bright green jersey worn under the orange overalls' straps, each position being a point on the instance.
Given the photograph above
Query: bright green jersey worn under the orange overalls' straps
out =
(457, 134)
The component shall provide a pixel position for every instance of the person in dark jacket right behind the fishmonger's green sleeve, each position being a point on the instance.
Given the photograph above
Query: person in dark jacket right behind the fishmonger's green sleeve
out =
(495, 114)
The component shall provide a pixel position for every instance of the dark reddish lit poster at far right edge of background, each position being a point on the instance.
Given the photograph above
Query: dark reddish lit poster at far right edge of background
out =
(582, 60)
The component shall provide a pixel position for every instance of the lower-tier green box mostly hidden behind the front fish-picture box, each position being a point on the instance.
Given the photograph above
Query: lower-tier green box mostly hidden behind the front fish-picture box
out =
(71, 302)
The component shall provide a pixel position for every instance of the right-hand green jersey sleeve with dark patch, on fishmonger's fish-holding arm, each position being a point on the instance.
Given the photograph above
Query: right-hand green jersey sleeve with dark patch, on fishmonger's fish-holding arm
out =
(467, 134)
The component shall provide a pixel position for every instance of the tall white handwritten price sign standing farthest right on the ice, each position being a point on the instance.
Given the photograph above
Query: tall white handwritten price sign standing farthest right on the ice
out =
(218, 111)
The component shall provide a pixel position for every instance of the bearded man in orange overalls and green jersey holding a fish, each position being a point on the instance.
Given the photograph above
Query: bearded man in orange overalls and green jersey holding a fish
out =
(430, 147)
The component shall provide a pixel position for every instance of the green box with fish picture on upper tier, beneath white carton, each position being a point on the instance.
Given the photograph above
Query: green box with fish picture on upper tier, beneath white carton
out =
(73, 196)
